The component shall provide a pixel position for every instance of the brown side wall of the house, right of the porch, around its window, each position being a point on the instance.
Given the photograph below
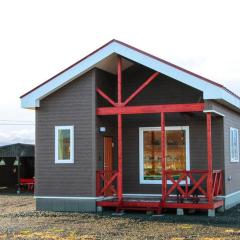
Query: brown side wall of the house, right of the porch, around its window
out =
(231, 119)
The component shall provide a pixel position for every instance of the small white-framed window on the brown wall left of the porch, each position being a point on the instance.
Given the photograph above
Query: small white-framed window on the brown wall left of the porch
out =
(64, 144)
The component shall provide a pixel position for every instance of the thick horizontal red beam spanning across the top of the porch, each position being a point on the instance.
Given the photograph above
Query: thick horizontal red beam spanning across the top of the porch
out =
(194, 107)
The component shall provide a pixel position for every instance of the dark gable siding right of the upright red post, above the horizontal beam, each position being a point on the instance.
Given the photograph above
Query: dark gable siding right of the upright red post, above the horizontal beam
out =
(162, 90)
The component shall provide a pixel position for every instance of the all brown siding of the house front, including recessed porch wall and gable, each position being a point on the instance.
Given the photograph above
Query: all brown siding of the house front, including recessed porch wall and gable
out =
(74, 104)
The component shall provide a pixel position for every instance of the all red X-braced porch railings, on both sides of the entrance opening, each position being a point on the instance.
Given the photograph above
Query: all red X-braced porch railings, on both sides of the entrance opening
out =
(181, 184)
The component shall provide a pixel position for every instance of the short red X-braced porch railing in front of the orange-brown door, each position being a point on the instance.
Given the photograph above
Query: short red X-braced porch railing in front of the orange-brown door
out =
(106, 183)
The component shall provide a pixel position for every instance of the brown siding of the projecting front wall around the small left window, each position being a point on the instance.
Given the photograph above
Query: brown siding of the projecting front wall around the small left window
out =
(74, 104)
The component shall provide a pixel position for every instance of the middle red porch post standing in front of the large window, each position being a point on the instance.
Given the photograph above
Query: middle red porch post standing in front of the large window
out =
(163, 148)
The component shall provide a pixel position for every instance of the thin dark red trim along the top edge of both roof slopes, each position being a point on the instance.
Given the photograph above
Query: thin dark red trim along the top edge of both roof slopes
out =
(143, 52)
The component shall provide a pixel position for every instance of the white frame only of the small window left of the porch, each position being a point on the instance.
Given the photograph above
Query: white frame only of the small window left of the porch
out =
(71, 128)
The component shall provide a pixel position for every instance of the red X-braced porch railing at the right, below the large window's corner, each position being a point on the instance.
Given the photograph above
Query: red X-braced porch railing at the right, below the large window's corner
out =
(192, 184)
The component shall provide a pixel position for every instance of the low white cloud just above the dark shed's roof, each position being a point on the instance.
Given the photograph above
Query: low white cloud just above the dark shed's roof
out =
(17, 136)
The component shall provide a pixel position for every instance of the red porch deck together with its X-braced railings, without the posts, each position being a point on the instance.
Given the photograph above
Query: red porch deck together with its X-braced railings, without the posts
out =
(179, 194)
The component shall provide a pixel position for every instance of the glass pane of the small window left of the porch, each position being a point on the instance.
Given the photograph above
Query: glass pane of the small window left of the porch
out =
(63, 144)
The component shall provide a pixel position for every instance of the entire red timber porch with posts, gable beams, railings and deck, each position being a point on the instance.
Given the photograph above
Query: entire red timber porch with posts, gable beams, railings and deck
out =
(178, 188)
